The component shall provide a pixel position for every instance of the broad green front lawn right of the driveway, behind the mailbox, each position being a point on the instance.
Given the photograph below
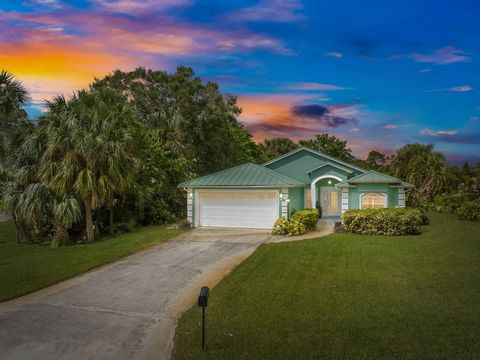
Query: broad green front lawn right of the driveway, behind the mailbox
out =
(348, 296)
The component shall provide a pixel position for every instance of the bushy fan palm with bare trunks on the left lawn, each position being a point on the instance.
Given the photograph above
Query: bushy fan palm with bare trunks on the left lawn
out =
(90, 149)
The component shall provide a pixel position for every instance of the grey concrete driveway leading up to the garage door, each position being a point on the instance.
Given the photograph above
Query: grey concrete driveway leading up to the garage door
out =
(126, 310)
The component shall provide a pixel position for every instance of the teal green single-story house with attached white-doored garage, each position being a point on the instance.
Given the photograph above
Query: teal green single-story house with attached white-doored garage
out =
(255, 196)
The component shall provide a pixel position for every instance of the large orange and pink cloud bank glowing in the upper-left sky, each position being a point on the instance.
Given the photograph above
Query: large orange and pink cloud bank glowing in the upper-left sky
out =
(55, 53)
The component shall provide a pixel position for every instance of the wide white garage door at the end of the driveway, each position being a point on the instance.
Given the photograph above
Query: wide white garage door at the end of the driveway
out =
(236, 208)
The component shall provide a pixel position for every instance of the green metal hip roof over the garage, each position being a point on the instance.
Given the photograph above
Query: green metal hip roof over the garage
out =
(246, 175)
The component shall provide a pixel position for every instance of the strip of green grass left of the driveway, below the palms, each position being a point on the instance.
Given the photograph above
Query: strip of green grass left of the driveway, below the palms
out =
(26, 268)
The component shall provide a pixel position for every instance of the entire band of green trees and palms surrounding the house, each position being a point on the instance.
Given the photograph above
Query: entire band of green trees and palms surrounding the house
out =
(111, 156)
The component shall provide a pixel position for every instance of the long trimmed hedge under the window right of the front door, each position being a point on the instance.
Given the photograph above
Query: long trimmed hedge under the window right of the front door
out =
(389, 221)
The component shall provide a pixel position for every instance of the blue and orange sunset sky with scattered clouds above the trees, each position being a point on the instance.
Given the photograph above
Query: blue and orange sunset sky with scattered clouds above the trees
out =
(377, 73)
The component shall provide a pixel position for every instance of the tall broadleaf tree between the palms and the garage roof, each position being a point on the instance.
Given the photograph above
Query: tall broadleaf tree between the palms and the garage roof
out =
(204, 119)
